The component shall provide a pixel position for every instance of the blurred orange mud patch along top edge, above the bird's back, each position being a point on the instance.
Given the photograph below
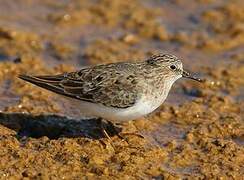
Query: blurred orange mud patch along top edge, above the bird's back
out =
(136, 17)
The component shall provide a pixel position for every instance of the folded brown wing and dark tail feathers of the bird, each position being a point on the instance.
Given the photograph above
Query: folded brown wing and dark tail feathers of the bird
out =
(102, 84)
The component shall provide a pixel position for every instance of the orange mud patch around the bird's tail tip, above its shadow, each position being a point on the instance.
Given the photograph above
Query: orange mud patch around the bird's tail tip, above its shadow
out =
(36, 101)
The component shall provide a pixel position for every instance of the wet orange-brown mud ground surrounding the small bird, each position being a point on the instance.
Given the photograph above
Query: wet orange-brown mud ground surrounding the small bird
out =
(198, 133)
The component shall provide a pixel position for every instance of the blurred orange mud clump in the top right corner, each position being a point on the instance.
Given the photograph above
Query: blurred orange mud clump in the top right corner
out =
(226, 24)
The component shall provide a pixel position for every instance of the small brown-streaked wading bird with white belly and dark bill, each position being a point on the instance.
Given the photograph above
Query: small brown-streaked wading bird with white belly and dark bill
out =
(120, 91)
